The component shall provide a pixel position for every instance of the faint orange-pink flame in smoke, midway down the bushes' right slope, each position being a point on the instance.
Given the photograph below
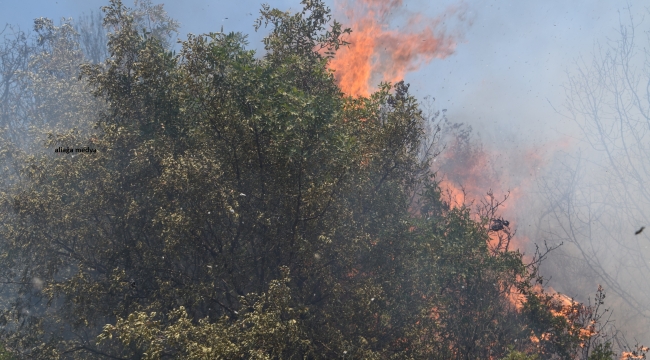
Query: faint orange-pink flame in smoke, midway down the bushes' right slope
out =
(468, 171)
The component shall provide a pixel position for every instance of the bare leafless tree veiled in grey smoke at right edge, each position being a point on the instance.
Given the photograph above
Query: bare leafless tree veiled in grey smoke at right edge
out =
(598, 199)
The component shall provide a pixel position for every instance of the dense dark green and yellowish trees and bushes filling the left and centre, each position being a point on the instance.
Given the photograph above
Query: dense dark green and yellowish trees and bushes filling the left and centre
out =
(243, 207)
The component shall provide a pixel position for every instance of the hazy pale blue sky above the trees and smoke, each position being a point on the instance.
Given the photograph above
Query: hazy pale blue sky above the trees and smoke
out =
(505, 77)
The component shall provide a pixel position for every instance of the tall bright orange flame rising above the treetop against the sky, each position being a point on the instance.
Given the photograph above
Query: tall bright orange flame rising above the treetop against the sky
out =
(377, 53)
